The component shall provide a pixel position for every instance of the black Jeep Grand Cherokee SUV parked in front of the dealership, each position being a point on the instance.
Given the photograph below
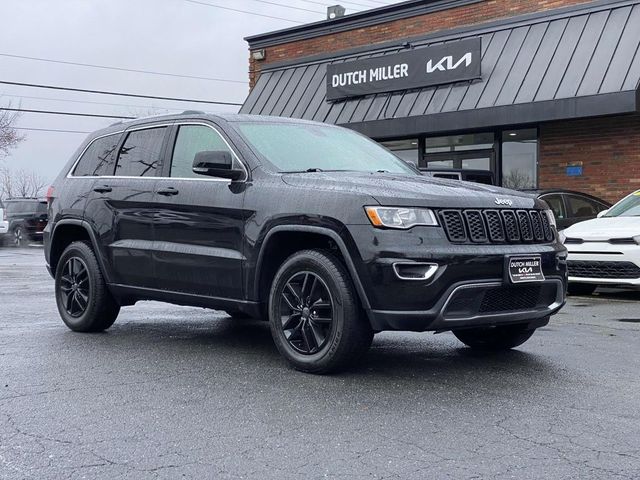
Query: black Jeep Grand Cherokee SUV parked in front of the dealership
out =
(315, 228)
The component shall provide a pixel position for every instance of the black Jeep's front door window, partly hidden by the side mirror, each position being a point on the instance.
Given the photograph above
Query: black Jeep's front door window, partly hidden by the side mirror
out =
(192, 139)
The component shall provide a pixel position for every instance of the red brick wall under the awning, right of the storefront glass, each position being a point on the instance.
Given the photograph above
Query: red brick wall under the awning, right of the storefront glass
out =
(609, 149)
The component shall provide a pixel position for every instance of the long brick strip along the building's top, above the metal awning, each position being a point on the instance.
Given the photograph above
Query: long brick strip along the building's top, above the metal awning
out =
(405, 28)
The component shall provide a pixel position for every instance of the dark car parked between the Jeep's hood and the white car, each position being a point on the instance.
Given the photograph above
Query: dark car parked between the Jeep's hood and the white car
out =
(571, 207)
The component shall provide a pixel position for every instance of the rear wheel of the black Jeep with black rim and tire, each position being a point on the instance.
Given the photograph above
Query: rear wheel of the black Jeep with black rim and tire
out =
(92, 308)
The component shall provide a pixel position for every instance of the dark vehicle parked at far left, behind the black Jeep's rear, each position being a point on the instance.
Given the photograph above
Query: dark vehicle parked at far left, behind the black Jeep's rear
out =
(26, 219)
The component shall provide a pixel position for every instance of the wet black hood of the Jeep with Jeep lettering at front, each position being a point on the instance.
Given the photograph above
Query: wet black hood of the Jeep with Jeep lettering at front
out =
(414, 190)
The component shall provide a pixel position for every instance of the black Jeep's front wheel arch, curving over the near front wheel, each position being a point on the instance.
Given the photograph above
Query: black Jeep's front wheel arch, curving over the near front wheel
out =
(296, 238)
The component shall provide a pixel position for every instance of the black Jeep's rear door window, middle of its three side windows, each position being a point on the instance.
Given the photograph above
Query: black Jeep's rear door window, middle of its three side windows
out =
(140, 154)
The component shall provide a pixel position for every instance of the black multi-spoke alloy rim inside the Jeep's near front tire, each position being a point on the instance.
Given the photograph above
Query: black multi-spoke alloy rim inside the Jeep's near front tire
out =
(306, 309)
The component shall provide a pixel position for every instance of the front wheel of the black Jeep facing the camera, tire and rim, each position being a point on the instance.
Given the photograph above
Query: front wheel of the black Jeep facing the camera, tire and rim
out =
(327, 334)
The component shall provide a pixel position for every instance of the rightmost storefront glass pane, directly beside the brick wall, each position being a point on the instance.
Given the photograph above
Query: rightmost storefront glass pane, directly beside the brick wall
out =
(520, 159)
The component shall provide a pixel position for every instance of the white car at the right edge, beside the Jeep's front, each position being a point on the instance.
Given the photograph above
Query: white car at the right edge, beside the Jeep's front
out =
(605, 250)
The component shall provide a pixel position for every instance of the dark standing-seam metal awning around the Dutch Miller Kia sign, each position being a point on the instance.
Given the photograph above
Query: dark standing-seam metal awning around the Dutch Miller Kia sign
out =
(574, 63)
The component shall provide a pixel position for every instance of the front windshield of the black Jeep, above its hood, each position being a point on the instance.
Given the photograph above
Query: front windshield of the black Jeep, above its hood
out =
(296, 147)
